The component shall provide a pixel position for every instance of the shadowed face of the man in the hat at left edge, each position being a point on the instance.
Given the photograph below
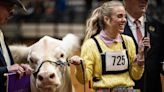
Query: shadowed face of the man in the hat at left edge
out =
(5, 12)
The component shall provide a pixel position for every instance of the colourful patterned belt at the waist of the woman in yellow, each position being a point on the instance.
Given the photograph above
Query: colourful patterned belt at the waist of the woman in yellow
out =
(117, 89)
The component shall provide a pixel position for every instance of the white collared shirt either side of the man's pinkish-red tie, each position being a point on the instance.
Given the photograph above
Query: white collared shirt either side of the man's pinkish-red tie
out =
(132, 25)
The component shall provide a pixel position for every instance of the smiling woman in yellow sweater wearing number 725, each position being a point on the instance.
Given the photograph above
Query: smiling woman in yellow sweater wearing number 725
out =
(108, 58)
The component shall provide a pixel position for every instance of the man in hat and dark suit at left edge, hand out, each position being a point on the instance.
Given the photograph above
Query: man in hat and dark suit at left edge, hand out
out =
(6, 61)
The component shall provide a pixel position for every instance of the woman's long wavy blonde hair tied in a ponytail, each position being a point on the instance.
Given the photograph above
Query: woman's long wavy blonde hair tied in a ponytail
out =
(95, 22)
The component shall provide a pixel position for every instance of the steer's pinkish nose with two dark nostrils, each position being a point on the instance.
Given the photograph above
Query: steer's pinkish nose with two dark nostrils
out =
(46, 76)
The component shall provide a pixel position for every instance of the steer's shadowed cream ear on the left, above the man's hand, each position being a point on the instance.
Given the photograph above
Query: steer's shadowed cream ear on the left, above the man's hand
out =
(19, 53)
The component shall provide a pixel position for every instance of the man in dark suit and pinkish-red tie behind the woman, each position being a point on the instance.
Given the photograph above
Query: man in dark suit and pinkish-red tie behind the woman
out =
(139, 26)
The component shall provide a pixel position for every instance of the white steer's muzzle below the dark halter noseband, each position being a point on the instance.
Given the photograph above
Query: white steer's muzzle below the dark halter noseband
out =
(49, 74)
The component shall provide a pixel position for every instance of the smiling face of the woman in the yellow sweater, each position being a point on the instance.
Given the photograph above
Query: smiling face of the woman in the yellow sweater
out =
(117, 20)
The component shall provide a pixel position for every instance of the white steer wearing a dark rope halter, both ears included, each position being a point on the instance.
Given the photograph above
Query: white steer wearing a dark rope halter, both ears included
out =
(48, 58)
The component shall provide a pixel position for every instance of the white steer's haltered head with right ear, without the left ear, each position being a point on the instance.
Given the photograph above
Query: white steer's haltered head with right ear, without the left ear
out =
(48, 58)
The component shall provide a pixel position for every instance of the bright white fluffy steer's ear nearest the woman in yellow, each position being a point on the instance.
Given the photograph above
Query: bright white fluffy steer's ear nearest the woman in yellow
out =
(71, 44)
